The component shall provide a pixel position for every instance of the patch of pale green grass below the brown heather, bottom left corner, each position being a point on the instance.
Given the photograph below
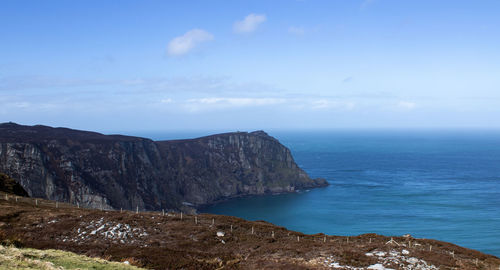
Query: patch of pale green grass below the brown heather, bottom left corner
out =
(27, 258)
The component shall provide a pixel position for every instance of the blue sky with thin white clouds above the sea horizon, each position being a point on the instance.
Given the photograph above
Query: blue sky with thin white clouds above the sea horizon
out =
(246, 65)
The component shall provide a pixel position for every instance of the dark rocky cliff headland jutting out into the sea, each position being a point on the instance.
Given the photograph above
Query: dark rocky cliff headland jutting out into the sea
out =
(114, 171)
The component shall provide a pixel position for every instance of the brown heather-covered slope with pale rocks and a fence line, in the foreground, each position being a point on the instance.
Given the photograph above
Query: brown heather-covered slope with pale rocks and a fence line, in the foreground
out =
(157, 241)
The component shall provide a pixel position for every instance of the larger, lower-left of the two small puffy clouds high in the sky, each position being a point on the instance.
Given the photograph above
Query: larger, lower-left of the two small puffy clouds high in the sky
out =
(185, 43)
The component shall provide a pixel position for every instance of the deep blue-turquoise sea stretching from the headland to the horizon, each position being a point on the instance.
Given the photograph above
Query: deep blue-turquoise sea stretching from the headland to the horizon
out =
(443, 185)
